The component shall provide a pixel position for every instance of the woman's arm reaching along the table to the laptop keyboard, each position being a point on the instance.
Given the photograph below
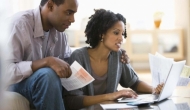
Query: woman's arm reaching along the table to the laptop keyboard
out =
(79, 100)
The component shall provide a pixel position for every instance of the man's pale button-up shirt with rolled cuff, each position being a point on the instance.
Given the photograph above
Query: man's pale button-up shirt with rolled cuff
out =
(26, 38)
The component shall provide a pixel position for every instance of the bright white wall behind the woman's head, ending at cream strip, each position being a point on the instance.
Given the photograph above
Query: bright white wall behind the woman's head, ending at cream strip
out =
(139, 13)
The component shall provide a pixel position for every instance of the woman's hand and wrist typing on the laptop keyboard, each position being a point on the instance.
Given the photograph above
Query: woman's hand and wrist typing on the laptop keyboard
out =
(122, 93)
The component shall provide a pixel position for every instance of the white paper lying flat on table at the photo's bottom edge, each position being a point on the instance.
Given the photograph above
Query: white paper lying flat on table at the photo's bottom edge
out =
(116, 106)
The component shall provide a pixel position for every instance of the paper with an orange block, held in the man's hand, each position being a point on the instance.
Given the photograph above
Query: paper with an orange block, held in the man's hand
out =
(79, 78)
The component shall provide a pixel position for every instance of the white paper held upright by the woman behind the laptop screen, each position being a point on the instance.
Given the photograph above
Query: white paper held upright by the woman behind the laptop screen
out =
(160, 67)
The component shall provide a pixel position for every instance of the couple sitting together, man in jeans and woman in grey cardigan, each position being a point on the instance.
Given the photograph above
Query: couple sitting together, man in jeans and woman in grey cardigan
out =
(37, 38)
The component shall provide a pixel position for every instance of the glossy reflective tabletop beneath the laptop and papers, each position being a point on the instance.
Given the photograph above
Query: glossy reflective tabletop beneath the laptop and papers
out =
(180, 98)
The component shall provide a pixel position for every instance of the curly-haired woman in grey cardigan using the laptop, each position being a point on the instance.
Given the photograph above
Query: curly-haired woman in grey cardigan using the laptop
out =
(105, 32)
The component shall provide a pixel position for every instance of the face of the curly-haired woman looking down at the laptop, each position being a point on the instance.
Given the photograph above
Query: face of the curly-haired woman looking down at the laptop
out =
(114, 36)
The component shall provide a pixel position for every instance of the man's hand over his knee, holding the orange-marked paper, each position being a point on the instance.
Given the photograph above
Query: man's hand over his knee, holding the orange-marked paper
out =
(61, 67)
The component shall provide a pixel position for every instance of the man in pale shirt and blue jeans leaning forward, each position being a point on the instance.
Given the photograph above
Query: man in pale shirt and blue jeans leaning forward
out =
(40, 51)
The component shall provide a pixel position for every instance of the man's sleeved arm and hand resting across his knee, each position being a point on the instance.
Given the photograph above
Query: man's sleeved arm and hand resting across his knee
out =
(19, 68)
